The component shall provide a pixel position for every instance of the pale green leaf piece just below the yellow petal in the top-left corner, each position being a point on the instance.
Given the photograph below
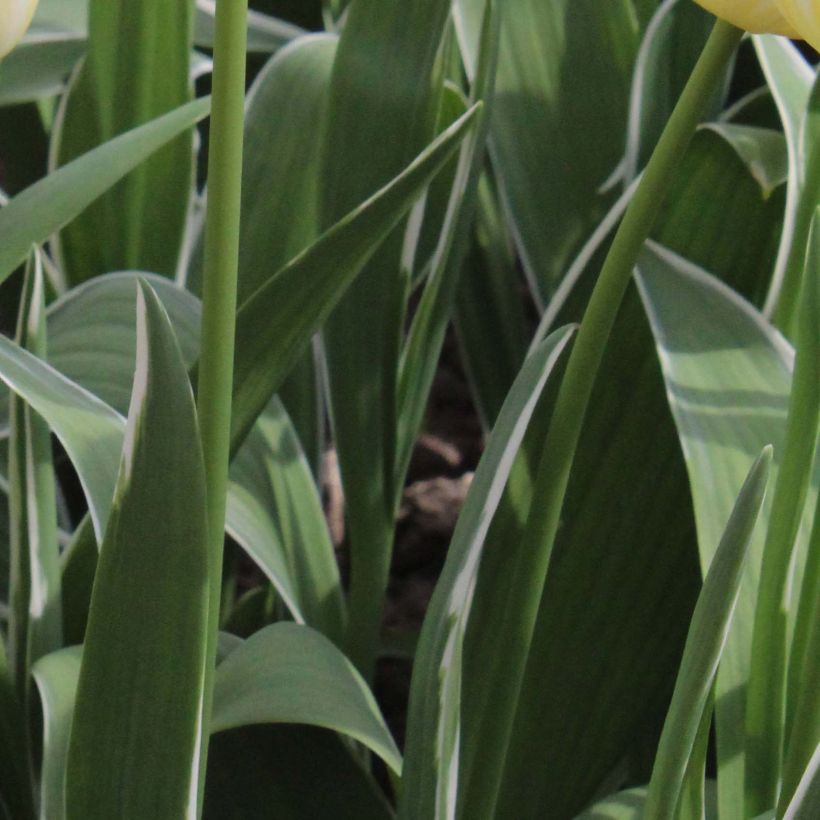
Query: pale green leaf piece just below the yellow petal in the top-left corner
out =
(39, 66)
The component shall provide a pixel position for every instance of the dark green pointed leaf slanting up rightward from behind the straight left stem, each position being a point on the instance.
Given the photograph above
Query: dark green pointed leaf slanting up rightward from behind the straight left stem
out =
(275, 325)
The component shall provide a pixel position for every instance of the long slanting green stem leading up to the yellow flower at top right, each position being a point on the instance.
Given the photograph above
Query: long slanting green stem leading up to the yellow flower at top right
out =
(573, 398)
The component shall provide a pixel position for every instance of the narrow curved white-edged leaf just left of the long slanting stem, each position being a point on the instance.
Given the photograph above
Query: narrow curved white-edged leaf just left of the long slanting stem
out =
(432, 778)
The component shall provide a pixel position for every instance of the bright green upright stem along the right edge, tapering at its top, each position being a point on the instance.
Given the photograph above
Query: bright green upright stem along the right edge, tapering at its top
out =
(766, 699)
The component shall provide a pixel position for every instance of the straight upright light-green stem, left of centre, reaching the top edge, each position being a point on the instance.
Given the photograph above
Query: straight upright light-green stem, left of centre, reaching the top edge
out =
(215, 375)
